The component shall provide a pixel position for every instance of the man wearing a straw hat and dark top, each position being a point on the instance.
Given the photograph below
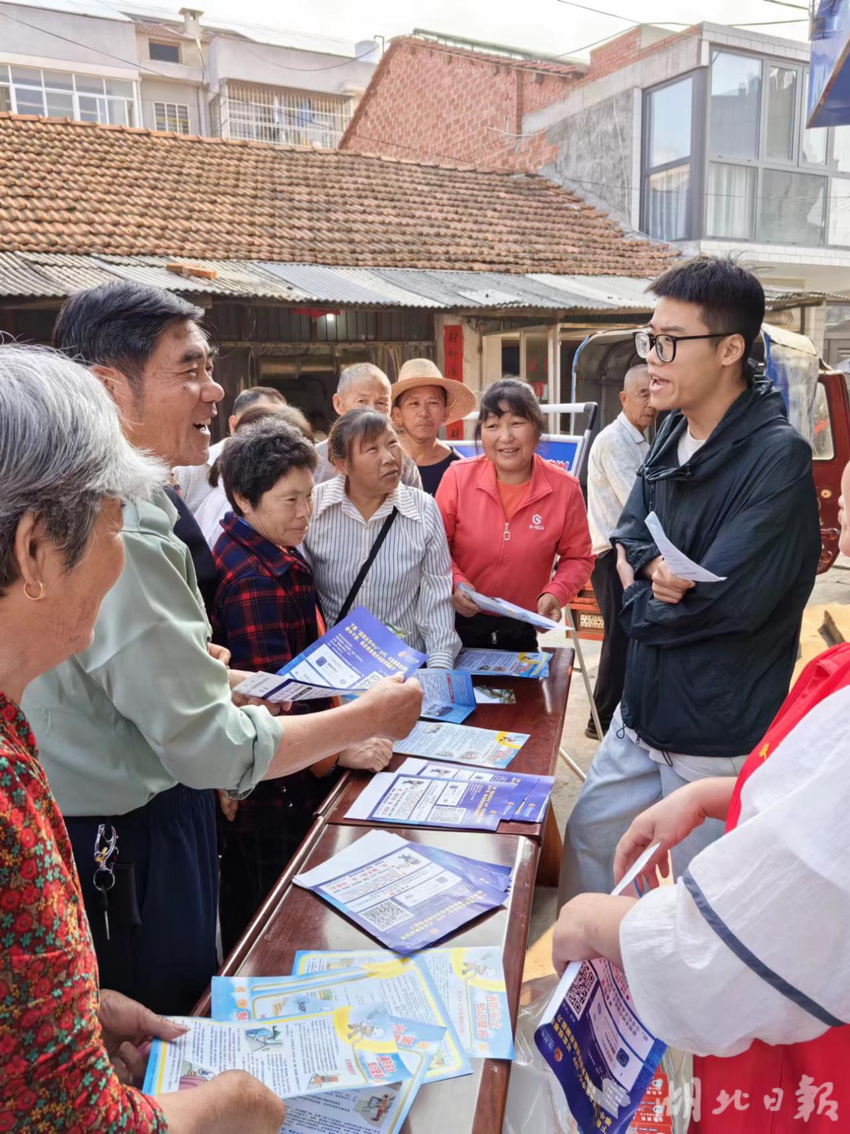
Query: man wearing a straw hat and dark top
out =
(423, 402)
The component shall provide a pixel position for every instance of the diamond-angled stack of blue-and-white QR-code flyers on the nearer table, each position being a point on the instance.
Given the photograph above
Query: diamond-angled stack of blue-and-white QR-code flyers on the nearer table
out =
(407, 895)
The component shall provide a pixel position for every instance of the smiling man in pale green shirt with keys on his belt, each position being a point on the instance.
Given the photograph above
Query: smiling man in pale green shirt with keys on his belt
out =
(135, 731)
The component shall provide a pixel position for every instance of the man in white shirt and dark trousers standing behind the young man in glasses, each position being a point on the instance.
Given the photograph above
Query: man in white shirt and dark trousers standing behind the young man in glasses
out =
(616, 458)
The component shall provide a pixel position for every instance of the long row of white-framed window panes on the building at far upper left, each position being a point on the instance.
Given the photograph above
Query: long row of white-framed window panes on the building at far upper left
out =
(63, 95)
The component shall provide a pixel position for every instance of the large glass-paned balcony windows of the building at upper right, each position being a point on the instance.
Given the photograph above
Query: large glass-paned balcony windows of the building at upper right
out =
(767, 179)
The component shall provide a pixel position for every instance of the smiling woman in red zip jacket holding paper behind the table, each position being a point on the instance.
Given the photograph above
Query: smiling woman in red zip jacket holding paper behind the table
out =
(509, 515)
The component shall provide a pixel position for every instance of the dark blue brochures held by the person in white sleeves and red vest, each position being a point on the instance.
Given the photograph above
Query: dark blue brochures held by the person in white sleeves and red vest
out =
(594, 1042)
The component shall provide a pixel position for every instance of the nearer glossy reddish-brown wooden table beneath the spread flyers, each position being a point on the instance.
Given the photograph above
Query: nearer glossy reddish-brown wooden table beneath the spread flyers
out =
(301, 920)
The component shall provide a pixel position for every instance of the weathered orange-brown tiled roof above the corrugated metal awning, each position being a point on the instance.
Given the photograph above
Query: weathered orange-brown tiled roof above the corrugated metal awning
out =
(74, 188)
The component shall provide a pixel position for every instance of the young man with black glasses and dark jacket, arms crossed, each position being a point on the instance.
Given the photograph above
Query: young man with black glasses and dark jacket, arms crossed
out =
(730, 481)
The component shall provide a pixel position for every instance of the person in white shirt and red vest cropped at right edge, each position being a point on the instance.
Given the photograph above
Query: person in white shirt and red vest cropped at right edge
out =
(746, 961)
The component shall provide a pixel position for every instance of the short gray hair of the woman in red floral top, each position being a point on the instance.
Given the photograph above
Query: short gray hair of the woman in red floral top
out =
(62, 452)
